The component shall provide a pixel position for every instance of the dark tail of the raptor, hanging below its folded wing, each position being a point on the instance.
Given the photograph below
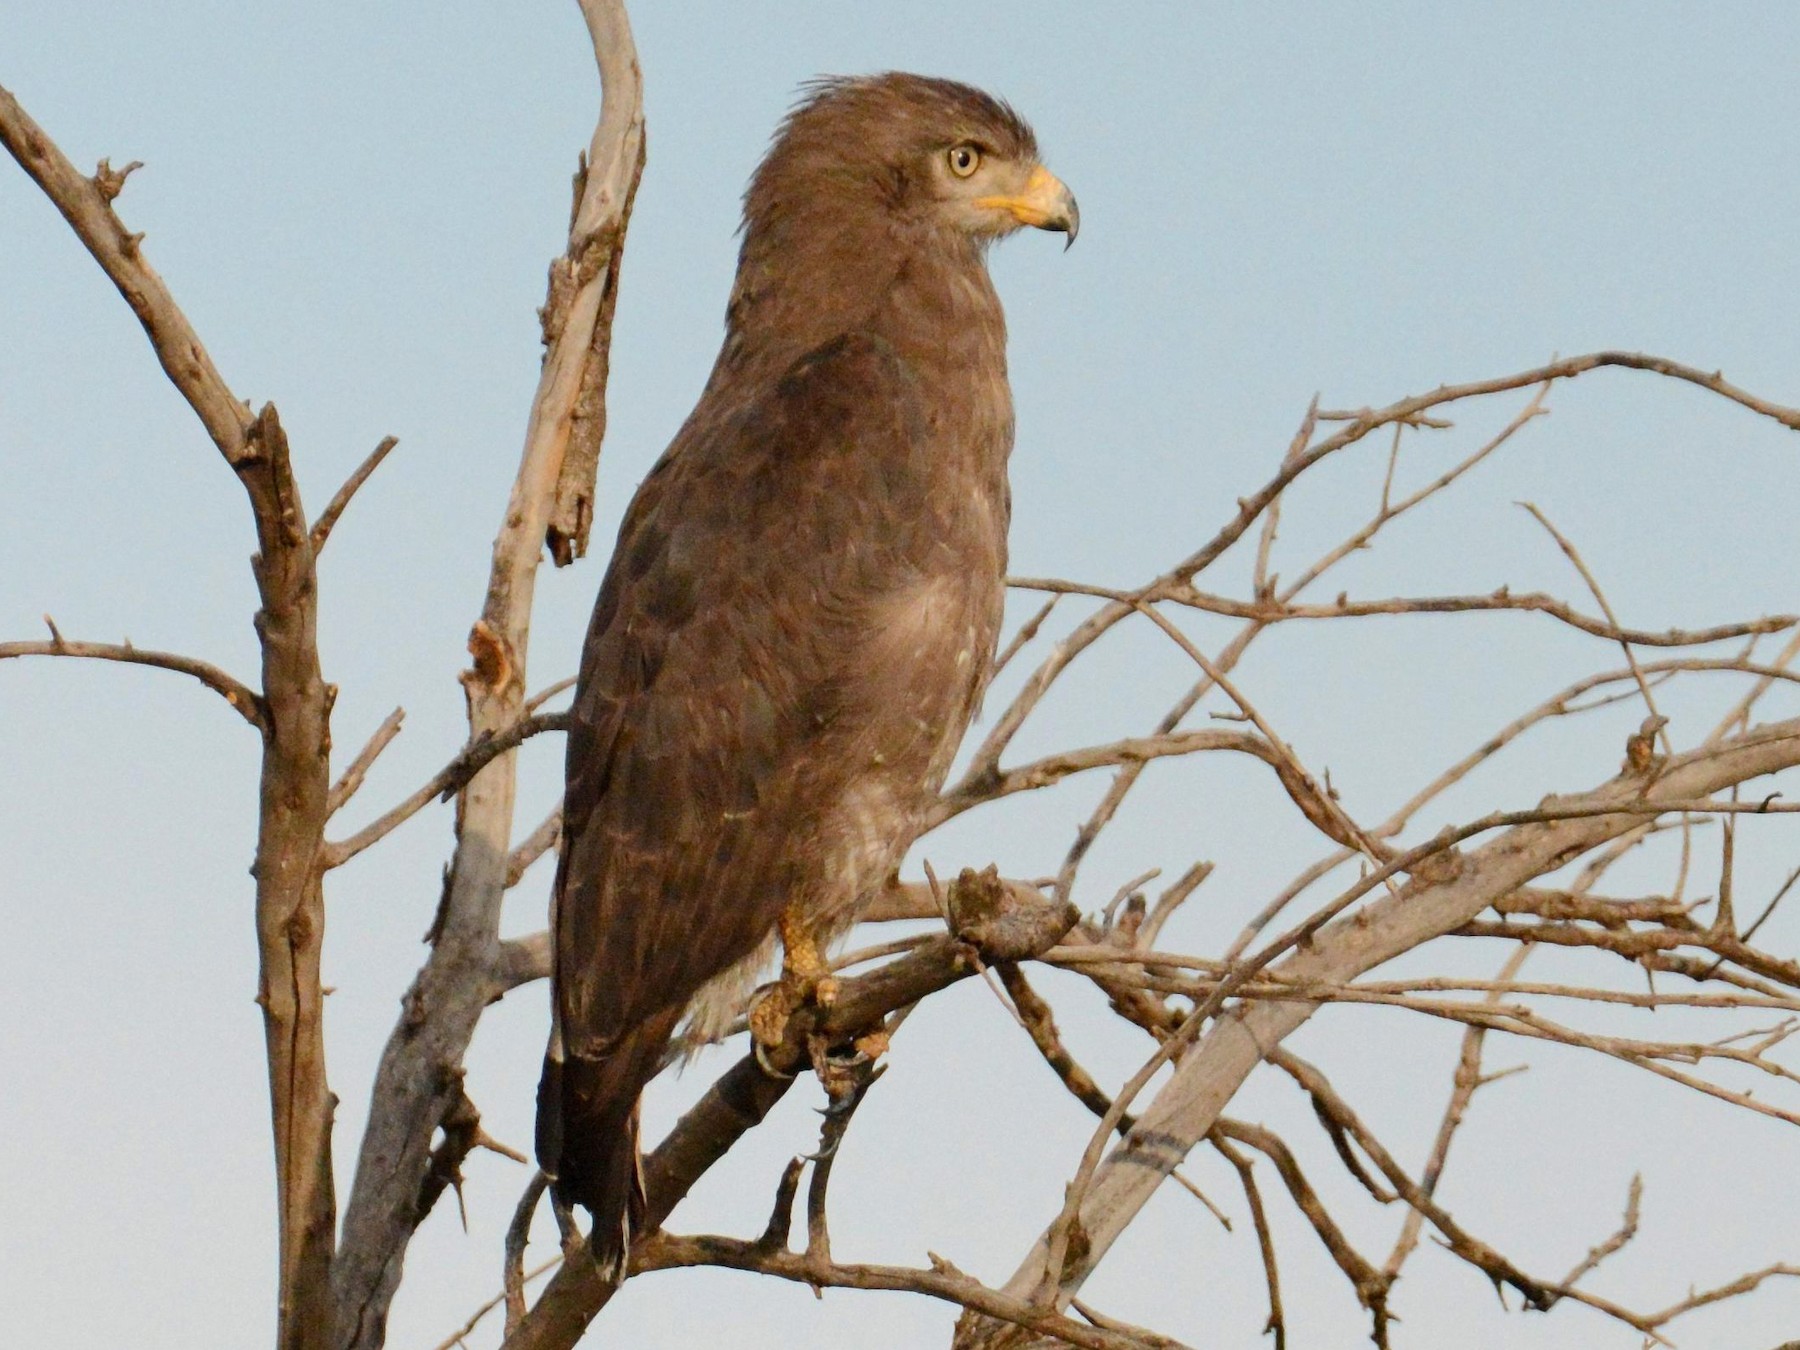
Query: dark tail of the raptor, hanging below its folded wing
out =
(588, 1135)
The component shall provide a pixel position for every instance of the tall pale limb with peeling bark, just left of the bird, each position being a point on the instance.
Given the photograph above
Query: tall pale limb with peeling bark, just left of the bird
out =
(415, 1084)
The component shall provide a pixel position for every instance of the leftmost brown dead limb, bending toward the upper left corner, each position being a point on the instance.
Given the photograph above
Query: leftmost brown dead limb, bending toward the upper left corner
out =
(296, 712)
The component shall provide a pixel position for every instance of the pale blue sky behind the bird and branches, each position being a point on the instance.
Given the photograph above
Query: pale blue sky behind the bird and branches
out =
(355, 206)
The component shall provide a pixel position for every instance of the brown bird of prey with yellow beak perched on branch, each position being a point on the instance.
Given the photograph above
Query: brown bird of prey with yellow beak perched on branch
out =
(802, 609)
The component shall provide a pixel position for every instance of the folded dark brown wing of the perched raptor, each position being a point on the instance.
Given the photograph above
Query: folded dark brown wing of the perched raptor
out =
(715, 663)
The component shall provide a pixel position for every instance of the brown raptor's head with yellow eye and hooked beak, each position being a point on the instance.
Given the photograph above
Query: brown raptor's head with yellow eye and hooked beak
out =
(921, 154)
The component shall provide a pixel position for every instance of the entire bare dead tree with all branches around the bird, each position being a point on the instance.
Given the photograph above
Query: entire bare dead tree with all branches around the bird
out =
(1212, 1018)
